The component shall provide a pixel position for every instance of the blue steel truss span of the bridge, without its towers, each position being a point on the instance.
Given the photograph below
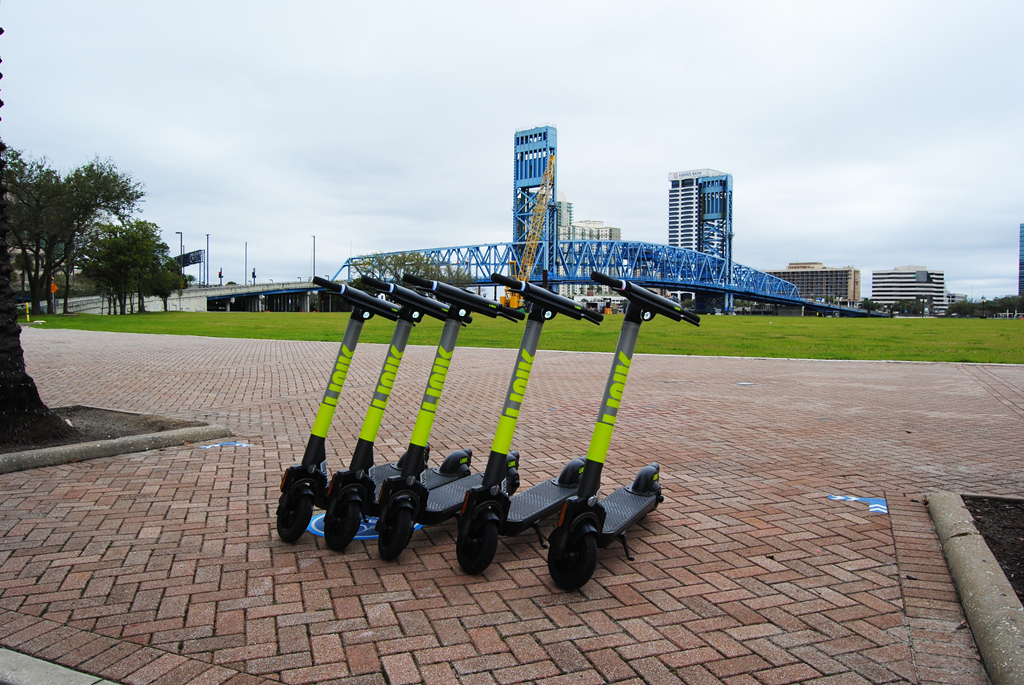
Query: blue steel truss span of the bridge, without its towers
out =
(710, 278)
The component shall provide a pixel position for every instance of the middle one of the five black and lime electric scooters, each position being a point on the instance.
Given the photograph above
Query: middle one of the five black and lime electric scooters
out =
(403, 498)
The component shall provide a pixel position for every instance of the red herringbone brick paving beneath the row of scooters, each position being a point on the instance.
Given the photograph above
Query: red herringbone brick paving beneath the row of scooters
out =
(164, 568)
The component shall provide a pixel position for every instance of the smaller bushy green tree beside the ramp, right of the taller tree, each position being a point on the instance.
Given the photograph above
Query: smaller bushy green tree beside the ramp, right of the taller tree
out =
(123, 260)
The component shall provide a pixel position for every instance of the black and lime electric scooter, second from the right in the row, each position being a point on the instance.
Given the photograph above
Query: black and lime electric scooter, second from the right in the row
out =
(487, 509)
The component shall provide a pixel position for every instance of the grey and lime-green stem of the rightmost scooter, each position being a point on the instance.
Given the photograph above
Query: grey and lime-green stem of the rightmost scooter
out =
(590, 483)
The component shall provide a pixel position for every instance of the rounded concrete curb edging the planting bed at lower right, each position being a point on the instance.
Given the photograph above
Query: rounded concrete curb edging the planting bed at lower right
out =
(996, 615)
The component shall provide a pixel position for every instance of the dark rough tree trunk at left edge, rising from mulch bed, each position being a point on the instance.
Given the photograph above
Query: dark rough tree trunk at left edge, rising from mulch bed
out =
(24, 413)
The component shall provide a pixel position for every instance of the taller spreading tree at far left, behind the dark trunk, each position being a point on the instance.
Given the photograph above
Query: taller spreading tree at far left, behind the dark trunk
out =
(52, 212)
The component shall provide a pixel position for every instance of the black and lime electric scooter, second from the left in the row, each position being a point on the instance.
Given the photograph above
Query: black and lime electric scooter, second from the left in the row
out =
(353, 492)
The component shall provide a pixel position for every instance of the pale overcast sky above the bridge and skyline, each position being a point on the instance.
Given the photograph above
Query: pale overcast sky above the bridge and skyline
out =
(865, 135)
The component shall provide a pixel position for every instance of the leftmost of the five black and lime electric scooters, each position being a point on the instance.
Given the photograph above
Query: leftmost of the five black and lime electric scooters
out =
(305, 485)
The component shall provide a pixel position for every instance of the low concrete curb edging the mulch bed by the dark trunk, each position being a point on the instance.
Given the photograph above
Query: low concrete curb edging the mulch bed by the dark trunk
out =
(32, 459)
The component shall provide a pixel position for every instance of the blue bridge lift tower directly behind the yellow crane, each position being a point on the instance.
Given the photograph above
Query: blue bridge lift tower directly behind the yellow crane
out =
(535, 148)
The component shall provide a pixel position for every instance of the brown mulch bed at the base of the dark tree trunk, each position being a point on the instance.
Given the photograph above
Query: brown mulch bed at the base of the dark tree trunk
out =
(91, 424)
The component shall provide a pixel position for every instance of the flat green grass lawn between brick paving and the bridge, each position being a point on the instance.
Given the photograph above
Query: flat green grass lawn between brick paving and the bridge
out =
(911, 339)
